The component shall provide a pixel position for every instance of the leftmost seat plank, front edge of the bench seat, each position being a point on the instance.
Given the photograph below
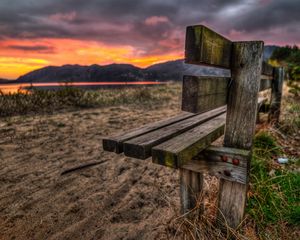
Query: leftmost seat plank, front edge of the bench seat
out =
(115, 143)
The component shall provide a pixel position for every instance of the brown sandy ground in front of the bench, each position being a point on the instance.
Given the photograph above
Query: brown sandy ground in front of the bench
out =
(121, 198)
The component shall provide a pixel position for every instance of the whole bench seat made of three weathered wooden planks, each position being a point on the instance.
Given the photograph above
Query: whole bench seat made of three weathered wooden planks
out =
(169, 141)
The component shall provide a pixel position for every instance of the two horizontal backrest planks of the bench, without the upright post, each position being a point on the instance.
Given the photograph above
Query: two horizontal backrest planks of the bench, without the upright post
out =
(205, 47)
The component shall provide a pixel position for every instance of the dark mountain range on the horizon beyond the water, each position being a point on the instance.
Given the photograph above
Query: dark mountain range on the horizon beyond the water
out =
(172, 70)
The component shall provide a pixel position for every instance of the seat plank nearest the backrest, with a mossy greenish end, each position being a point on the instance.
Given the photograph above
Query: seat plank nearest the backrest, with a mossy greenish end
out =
(179, 150)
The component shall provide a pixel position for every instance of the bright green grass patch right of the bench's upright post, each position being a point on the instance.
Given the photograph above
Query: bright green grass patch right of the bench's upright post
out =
(275, 192)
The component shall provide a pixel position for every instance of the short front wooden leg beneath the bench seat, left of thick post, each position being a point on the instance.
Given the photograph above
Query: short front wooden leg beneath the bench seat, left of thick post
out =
(191, 186)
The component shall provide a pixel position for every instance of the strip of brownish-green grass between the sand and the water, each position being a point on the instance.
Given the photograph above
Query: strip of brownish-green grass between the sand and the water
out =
(41, 101)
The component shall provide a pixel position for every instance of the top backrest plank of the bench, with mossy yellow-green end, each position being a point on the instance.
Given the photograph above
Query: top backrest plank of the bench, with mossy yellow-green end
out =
(204, 46)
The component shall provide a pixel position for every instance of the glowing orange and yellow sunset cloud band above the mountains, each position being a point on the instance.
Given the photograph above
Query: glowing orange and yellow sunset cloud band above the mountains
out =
(18, 57)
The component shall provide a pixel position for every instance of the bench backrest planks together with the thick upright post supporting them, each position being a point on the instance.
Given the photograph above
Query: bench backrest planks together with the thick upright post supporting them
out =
(249, 75)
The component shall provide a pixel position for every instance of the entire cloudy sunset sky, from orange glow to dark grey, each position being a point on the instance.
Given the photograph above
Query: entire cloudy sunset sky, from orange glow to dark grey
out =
(38, 33)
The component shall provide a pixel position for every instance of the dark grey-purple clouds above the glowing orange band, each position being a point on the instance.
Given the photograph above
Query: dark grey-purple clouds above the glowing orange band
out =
(125, 21)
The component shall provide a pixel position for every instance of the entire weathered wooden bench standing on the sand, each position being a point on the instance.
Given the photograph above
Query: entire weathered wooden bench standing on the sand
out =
(209, 104)
